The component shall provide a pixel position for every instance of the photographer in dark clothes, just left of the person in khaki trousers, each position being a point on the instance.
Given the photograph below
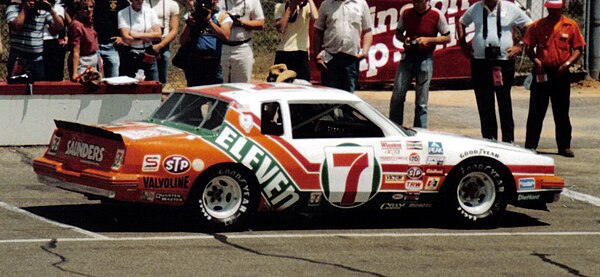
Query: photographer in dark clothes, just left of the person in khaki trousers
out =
(201, 42)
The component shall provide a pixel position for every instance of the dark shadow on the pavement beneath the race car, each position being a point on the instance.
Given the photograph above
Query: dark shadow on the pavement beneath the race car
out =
(123, 218)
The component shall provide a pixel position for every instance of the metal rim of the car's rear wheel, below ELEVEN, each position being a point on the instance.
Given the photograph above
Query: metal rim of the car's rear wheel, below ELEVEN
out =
(222, 197)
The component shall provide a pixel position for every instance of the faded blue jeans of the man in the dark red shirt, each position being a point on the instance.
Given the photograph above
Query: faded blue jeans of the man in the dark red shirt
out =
(419, 66)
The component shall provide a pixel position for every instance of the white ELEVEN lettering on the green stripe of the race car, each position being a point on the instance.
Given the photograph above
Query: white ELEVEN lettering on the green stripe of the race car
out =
(278, 188)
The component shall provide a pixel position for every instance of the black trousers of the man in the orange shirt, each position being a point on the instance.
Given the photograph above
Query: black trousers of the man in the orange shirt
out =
(558, 90)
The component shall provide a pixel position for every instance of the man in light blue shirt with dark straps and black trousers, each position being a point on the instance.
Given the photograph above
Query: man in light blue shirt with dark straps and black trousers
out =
(492, 55)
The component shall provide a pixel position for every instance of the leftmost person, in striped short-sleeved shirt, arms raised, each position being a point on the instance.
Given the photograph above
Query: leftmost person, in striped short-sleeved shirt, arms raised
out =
(26, 22)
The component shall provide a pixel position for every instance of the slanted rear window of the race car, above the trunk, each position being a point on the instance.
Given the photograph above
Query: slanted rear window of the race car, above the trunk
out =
(191, 109)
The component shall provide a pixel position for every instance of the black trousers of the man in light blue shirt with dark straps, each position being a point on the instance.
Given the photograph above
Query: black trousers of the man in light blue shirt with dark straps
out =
(481, 71)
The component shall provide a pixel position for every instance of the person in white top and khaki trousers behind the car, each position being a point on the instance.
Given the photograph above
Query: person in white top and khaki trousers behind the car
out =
(237, 58)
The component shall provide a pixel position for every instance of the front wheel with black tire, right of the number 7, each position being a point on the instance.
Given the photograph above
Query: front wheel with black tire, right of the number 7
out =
(476, 192)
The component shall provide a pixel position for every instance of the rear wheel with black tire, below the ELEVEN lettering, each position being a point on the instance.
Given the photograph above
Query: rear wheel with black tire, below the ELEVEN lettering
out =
(225, 197)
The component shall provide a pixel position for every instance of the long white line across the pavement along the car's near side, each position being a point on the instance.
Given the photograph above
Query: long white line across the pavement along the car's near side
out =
(292, 236)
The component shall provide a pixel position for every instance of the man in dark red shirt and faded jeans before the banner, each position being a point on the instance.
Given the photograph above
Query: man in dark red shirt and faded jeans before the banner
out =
(418, 29)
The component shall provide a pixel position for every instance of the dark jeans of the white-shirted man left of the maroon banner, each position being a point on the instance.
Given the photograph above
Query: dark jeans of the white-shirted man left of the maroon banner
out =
(341, 72)
